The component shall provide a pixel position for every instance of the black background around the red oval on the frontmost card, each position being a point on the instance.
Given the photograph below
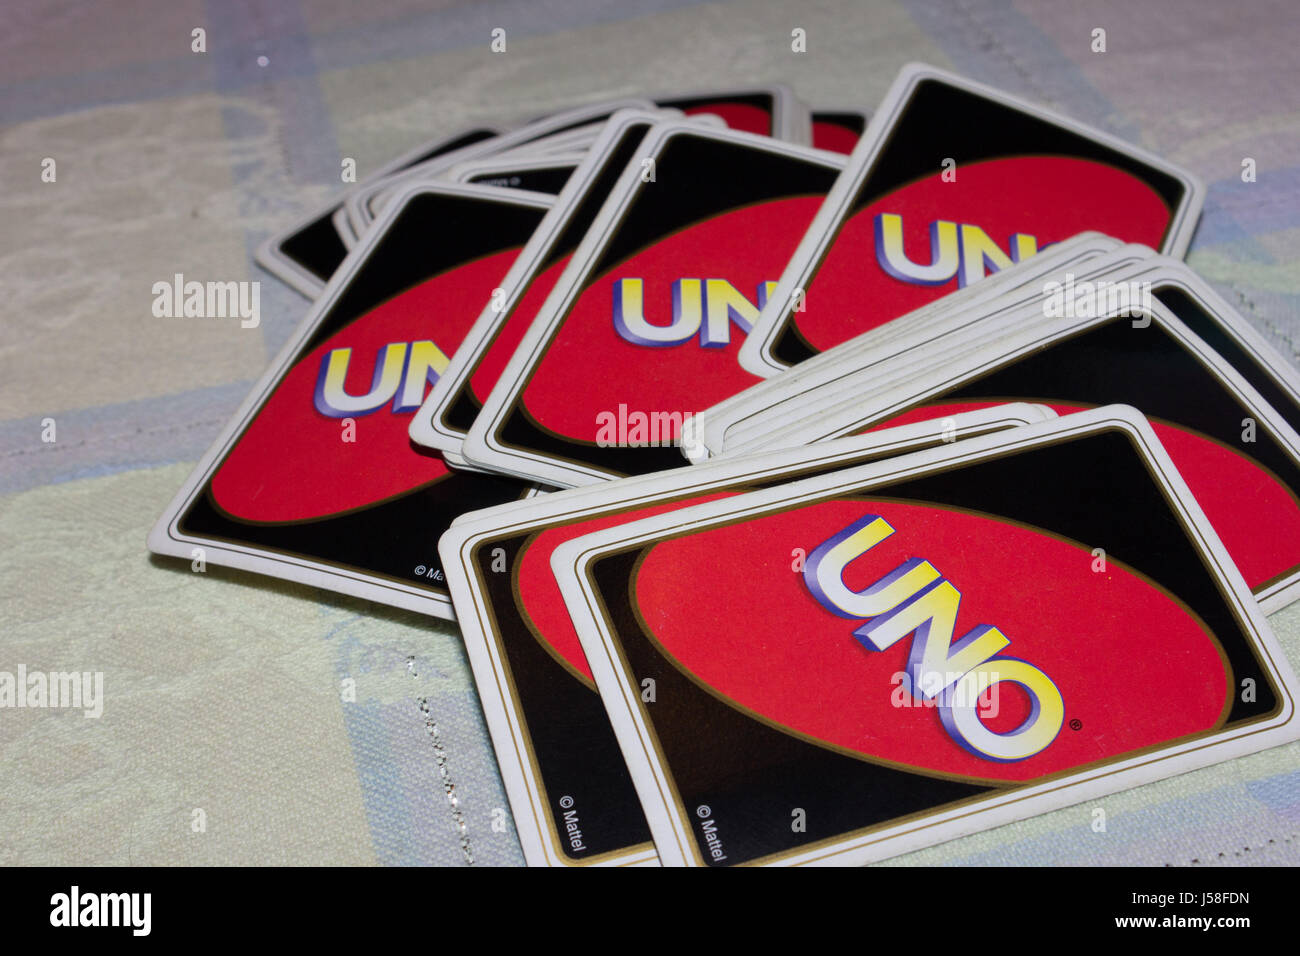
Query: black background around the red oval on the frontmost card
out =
(1094, 490)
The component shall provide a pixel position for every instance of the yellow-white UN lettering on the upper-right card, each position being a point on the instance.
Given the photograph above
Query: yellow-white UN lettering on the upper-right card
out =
(960, 250)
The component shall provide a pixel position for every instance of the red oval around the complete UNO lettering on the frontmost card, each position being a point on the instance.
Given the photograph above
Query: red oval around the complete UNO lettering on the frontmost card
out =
(1134, 668)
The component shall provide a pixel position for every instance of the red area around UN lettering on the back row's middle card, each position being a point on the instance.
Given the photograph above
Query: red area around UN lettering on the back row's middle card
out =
(591, 370)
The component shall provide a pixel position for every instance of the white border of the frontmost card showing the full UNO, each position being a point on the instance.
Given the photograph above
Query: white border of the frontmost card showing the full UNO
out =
(675, 842)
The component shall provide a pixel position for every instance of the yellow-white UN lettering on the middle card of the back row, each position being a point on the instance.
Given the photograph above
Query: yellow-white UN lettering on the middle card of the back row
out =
(700, 306)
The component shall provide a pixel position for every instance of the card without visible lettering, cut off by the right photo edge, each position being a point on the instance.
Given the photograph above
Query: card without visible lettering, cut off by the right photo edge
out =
(1234, 449)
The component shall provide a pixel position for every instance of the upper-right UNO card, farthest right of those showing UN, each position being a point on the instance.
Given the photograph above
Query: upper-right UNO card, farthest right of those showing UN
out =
(978, 179)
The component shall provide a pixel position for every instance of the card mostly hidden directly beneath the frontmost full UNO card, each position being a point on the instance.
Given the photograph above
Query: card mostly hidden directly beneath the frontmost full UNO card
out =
(573, 798)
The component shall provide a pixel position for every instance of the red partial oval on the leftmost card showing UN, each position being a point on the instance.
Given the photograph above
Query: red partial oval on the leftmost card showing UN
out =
(293, 462)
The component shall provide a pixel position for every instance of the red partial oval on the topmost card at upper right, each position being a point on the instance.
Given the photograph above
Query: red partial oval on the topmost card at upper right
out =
(1050, 198)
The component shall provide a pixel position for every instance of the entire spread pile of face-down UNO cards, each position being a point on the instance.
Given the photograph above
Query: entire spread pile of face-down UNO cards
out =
(807, 490)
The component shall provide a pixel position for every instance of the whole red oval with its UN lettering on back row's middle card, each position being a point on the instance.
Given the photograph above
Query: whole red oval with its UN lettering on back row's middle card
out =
(629, 356)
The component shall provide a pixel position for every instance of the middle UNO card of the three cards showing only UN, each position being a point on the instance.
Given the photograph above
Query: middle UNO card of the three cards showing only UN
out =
(643, 328)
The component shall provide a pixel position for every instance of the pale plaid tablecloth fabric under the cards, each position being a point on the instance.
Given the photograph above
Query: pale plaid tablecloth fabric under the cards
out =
(226, 738)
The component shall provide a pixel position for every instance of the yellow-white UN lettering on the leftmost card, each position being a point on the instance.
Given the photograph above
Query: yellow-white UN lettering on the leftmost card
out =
(402, 377)
